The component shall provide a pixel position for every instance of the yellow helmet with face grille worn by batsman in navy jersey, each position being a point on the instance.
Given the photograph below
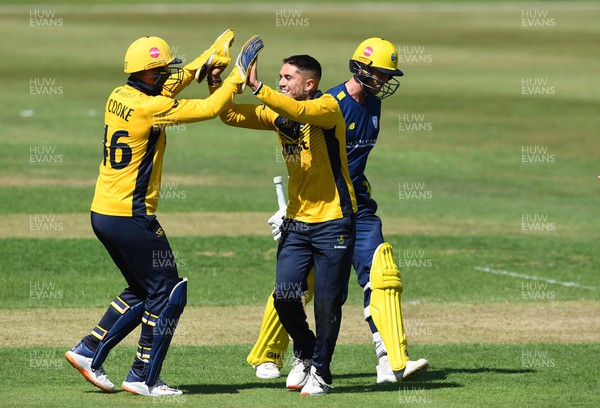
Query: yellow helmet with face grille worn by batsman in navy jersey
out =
(376, 54)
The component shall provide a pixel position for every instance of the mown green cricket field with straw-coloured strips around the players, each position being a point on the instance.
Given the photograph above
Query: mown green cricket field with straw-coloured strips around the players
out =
(485, 173)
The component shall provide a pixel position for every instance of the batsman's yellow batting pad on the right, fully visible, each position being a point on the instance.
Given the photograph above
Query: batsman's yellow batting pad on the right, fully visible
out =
(385, 306)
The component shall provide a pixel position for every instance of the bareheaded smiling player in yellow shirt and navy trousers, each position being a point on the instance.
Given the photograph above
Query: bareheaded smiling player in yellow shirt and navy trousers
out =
(319, 226)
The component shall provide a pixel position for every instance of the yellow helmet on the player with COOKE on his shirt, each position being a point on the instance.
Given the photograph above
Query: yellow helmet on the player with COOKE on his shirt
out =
(148, 53)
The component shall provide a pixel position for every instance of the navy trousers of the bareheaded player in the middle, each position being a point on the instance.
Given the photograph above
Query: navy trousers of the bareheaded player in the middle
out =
(328, 246)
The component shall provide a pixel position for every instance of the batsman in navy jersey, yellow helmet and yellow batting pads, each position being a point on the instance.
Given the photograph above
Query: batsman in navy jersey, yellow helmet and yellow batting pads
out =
(374, 65)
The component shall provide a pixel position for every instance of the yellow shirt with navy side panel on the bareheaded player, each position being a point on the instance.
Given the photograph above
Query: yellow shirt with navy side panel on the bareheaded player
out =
(312, 139)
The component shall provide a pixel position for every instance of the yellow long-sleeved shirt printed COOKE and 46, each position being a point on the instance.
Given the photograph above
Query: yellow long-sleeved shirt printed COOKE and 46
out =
(134, 143)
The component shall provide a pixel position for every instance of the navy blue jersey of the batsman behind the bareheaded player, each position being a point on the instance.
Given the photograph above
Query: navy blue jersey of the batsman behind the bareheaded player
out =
(362, 129)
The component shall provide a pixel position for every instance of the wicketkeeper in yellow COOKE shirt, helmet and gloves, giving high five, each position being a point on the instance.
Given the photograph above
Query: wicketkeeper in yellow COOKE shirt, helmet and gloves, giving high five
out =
(126, 198)
